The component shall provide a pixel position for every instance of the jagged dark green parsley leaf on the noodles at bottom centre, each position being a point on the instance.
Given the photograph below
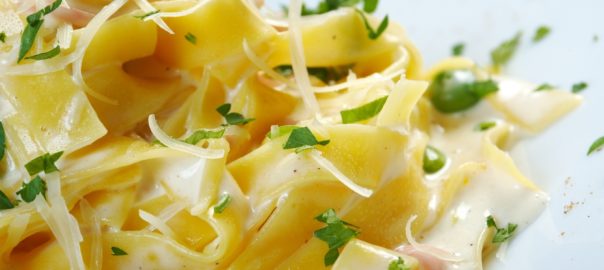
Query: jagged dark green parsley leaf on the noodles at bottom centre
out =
(336, 234)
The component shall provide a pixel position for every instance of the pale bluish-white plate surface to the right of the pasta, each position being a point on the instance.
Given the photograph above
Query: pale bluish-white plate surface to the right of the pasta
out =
(574, 240)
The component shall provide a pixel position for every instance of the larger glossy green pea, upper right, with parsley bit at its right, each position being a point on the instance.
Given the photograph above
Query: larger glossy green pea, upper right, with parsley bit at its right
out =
(458, 90)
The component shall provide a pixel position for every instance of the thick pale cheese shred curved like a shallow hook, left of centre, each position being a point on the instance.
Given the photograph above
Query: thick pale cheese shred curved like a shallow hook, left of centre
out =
(181, 146)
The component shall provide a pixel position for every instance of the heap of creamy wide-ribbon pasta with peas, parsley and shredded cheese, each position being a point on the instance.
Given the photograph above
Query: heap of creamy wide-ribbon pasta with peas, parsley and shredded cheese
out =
(215, 134)
